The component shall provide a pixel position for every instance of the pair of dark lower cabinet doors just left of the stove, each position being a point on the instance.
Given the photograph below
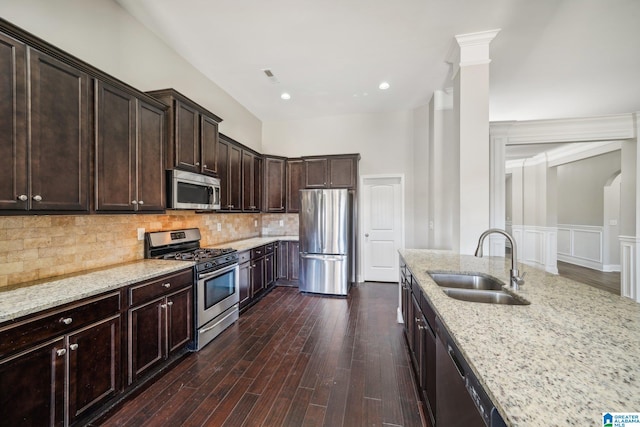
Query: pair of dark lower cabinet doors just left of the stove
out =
(157, 328)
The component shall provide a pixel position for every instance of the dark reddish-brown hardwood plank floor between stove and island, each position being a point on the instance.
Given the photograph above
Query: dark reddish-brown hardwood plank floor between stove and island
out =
(292, 360)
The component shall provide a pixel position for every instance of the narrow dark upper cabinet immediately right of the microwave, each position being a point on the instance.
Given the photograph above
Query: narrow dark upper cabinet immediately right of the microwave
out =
(230, 172)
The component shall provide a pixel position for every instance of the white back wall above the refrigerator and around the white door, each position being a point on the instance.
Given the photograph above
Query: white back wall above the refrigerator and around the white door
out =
(384, 140)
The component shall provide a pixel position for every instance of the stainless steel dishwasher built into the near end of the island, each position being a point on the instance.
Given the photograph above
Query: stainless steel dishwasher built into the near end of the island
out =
(461, 401)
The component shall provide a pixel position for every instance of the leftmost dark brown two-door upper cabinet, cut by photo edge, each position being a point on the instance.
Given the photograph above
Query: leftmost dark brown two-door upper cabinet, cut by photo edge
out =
(44, 139)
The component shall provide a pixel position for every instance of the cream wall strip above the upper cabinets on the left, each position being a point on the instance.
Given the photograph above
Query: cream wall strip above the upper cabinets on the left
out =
(104, 35)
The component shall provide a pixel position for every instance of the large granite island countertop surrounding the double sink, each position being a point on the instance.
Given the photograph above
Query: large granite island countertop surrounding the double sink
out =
(563, 360)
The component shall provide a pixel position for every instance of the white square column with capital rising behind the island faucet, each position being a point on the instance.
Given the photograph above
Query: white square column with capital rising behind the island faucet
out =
(471, 111)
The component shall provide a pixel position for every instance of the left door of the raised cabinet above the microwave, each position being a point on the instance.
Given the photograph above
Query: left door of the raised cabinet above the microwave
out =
(187, 149)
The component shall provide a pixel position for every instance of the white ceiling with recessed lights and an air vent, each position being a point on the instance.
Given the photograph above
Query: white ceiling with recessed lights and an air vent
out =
(552, 58)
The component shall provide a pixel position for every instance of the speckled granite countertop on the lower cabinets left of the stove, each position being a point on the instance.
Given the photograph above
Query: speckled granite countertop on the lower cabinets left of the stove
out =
(32, 297)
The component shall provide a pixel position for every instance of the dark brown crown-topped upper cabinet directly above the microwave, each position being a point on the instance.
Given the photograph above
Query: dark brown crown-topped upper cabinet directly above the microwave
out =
(192, 135)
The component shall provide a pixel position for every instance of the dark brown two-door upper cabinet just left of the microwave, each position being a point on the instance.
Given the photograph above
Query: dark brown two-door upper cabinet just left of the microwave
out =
(129, 161)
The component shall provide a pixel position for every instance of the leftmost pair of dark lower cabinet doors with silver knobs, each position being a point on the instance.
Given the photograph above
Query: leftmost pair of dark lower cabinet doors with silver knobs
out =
(33, 382)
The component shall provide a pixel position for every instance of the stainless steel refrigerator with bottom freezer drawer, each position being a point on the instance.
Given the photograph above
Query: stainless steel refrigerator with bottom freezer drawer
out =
(326, 218)
